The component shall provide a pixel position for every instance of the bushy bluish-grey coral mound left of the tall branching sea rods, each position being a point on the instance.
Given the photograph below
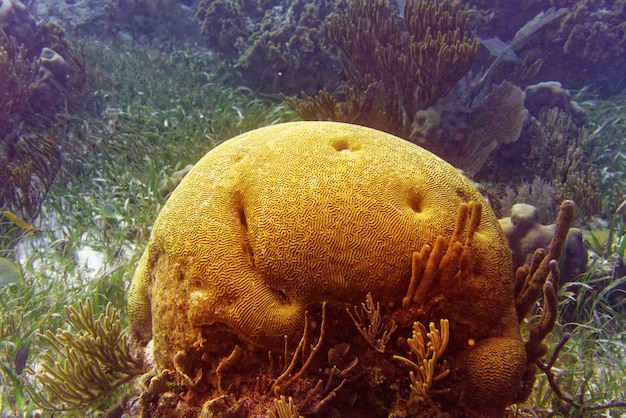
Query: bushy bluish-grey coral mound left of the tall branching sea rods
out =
(275, 46)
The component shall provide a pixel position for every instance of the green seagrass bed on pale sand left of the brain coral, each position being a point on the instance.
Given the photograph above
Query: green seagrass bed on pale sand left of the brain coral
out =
(145, 119)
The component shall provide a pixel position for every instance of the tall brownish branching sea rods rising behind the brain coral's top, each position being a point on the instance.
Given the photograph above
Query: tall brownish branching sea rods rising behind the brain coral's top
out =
(396, 65)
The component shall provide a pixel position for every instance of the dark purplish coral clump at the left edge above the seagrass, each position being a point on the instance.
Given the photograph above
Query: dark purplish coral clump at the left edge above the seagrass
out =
(37, 83)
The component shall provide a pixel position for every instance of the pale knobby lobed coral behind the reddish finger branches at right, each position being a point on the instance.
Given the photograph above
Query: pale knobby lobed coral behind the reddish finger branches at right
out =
(525, 234)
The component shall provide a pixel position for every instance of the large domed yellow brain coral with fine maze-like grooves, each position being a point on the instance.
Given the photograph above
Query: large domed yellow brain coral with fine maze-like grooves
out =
(275, 221)
